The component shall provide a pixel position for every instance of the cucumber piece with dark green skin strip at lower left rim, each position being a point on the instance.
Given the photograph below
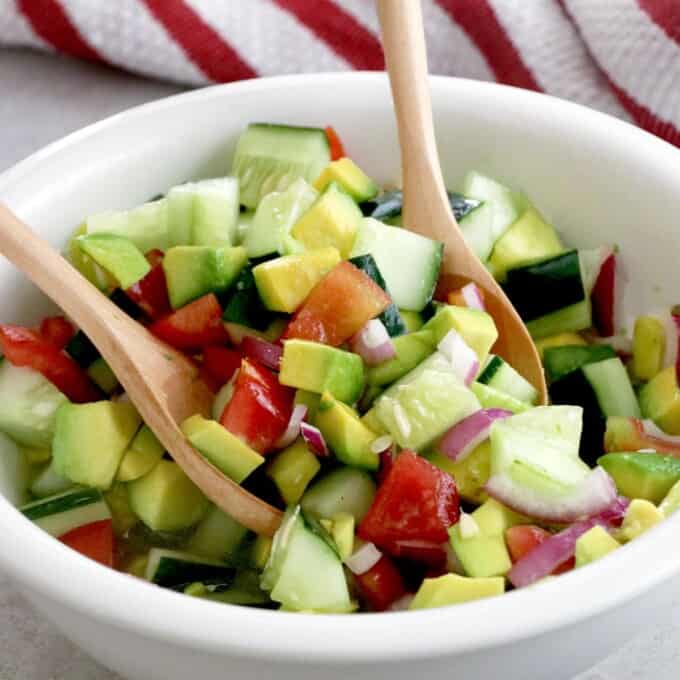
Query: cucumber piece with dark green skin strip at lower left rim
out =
(60, 514)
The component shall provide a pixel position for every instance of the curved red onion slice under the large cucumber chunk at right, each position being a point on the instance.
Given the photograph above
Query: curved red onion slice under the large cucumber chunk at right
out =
(593, 494)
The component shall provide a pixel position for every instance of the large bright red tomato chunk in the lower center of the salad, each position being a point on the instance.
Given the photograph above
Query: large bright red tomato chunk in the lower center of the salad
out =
(416, 502)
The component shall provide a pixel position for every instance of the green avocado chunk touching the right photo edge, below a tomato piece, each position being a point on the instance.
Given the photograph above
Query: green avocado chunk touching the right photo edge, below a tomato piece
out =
(642, 475)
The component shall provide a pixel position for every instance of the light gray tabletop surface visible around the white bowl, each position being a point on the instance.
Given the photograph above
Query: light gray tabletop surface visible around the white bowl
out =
(49, 97)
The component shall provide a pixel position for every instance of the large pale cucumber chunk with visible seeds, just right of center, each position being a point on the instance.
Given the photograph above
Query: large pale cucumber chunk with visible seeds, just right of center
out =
(421, 406)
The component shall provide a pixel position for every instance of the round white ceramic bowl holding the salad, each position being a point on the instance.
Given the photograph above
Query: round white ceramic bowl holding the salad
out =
(598, 179)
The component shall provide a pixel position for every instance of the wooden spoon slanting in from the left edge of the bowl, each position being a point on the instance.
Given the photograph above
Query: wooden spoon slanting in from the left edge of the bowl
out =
(162, 383)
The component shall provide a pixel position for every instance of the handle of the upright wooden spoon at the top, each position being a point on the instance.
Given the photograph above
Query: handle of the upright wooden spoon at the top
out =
(403, 36)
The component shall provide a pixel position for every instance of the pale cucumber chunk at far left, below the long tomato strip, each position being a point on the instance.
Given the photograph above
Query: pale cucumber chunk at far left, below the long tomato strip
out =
(28, 405)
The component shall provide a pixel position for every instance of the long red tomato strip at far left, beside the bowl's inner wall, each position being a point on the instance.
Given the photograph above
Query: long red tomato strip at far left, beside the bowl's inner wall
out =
(25, 347)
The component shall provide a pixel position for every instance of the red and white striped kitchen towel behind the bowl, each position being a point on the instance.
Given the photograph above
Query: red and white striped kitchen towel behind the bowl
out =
(619, 56)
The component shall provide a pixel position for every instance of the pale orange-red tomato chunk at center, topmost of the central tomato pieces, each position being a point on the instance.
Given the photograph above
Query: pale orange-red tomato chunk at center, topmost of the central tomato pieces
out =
(338, 306)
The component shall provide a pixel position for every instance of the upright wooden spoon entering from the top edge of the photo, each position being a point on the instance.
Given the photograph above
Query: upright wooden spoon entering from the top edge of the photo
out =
(426, 206)
